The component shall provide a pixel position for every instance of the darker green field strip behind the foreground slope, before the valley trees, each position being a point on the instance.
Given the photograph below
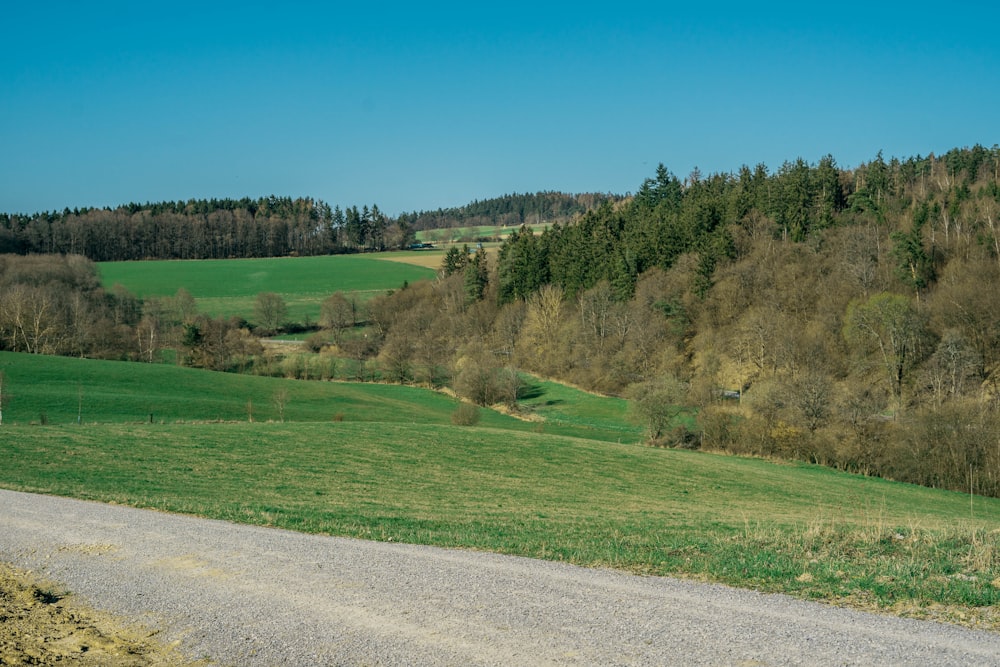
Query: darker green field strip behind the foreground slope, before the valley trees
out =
(63, 390)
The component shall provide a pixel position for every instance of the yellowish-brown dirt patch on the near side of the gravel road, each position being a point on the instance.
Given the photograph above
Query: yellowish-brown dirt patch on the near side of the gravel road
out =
(40, 624)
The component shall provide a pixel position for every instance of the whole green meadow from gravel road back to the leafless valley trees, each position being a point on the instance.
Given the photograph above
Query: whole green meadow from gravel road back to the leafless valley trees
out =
(385, 462)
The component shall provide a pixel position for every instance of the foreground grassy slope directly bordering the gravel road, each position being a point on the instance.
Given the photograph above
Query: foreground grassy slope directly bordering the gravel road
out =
(796, 528)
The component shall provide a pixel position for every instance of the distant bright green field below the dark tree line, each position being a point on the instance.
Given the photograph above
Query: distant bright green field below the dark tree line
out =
(230, 287)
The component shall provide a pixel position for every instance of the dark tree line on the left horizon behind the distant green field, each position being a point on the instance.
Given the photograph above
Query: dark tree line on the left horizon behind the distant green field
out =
(204, 229)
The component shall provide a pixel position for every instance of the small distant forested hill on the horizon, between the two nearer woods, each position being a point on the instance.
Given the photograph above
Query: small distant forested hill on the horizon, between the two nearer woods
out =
(511, 210)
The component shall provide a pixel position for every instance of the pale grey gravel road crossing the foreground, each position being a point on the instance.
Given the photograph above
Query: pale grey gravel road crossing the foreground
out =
(242, 595)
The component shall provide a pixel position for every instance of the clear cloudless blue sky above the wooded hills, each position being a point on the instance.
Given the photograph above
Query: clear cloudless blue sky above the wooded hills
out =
(416, 107)
